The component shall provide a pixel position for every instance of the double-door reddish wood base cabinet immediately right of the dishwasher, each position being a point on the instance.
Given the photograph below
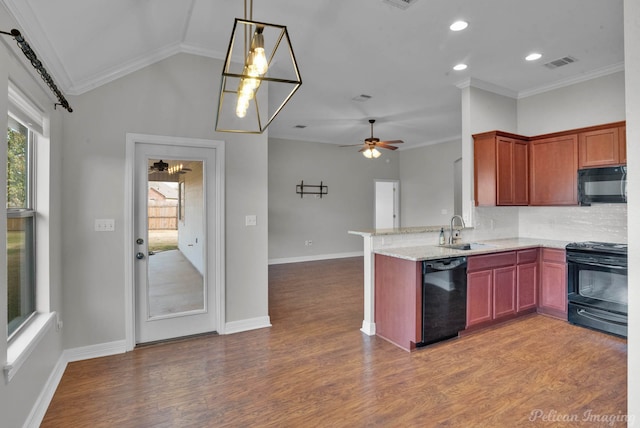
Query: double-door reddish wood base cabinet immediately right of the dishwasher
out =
(491, 287)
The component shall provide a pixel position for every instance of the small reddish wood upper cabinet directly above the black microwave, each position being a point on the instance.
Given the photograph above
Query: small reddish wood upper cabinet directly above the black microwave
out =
(599, 148)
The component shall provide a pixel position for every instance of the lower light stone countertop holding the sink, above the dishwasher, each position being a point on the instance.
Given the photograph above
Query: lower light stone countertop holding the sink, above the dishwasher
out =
(432, 252)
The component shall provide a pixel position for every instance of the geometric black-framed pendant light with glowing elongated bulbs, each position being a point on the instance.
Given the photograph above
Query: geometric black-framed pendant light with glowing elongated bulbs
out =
(260, 66)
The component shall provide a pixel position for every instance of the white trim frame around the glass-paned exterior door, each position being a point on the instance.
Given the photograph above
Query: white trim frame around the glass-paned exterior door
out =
(129, 238)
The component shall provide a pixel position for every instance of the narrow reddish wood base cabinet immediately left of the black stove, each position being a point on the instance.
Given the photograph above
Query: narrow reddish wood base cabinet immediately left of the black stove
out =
(553, 283)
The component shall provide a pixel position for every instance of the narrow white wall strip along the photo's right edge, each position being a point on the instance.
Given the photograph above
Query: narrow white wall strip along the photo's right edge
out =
(632, 90)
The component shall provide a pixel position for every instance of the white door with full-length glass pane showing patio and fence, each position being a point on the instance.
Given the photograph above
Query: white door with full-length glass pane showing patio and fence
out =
(174, 244)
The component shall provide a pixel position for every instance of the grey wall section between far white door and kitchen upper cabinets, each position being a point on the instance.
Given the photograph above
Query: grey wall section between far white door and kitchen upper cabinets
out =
(427, 184)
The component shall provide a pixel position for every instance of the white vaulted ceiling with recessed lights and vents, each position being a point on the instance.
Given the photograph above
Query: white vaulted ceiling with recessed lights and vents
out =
(403, 59)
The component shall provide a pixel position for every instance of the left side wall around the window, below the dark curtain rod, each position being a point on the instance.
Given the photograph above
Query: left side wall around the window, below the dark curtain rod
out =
(18, 397)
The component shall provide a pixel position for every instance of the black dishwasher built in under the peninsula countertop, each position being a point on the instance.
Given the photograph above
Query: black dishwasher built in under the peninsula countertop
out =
(444, 299)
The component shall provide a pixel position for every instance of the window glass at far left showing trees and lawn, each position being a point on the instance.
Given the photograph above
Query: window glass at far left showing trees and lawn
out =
(21, 290)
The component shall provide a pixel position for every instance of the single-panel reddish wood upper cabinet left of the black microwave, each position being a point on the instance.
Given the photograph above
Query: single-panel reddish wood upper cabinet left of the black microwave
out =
(554, 169)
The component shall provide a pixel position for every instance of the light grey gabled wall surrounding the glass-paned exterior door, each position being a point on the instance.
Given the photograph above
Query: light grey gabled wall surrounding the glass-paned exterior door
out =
(175, 97)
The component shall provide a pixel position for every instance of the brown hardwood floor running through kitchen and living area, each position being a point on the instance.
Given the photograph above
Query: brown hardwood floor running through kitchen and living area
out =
(315, 368)
